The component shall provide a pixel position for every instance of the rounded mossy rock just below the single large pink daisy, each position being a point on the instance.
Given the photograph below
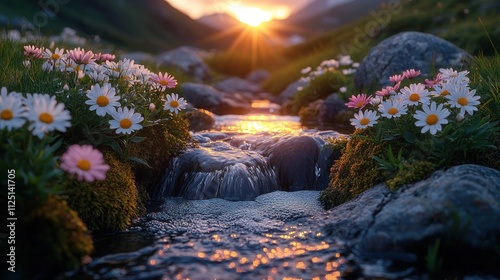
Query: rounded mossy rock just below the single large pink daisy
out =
(110, 204)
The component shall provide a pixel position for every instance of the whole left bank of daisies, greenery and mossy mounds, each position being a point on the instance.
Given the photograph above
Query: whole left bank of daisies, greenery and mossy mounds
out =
(76, 144)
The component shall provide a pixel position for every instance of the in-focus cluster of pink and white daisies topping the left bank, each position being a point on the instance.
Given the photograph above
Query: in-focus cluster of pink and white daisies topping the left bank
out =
(118, 90)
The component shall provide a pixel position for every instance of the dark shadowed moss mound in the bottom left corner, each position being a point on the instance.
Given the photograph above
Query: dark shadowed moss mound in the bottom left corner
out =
(54, 239)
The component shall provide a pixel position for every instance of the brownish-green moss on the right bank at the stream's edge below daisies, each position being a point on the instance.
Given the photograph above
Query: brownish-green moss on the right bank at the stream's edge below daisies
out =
(354, 172)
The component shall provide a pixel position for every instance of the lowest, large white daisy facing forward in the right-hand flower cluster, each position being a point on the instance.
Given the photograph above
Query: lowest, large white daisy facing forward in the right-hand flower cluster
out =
(431, 118)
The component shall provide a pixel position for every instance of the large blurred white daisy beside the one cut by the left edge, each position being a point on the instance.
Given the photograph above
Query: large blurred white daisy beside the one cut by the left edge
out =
(46, 114)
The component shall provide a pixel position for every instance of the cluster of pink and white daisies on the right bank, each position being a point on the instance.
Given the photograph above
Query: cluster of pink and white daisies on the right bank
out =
(430, 104)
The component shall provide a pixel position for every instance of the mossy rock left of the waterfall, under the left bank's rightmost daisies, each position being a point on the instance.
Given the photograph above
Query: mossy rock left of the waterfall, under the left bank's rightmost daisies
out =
(162, 142)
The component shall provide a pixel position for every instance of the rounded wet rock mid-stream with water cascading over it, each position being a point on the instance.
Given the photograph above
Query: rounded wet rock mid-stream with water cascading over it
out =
(220, 171)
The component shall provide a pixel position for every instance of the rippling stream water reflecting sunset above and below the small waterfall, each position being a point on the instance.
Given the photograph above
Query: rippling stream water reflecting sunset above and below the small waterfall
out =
(276, 235)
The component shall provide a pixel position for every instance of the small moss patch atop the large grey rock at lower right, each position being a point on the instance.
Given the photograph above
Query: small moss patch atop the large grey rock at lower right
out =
(411, 172)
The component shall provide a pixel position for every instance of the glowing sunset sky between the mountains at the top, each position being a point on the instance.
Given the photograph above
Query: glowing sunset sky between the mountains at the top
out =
(274, 8)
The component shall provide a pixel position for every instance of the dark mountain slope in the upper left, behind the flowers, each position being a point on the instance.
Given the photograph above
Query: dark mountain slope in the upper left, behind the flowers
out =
(147, 25)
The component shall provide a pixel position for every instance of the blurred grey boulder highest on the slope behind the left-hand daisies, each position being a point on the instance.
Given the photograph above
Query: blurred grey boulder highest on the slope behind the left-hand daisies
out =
(187, 59)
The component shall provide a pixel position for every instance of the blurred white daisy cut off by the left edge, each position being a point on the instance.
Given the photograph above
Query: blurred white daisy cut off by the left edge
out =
(12, 111)
